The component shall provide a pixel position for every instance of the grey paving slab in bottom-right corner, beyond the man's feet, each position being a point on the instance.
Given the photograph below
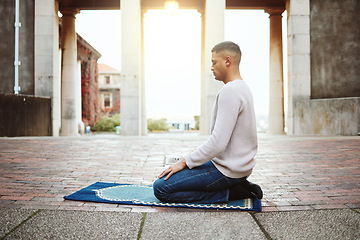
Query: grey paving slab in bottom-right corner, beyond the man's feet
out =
(316, 224)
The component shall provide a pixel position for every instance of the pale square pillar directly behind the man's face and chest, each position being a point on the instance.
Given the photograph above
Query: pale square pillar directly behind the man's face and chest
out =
(213, 33)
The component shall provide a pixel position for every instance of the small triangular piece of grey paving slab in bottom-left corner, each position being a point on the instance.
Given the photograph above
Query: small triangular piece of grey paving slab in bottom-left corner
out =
(10, 218)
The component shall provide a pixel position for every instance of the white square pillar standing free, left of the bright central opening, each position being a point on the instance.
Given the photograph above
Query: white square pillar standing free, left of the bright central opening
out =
(130, 67)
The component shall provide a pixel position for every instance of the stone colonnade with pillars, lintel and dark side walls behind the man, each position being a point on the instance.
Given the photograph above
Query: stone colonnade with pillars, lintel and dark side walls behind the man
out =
(323, 67)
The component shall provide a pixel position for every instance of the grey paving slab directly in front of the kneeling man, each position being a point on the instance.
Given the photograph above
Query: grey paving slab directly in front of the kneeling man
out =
(201, 225)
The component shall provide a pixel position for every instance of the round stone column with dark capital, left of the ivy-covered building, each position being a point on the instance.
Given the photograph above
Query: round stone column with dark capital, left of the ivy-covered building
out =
(70, 87)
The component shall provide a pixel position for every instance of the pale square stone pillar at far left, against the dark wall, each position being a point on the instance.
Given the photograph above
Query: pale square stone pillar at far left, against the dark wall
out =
(47, 57)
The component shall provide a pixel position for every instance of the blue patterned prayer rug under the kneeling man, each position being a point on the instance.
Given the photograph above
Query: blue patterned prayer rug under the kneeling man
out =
(144, 195)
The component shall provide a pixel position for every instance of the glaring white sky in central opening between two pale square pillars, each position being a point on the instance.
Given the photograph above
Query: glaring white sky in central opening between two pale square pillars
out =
(172, 64)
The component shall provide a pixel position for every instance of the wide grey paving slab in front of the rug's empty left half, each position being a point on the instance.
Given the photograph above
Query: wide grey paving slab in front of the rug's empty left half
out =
(80, 225)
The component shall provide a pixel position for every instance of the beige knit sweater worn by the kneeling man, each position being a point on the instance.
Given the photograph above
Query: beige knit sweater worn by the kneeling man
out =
(232, 144)
